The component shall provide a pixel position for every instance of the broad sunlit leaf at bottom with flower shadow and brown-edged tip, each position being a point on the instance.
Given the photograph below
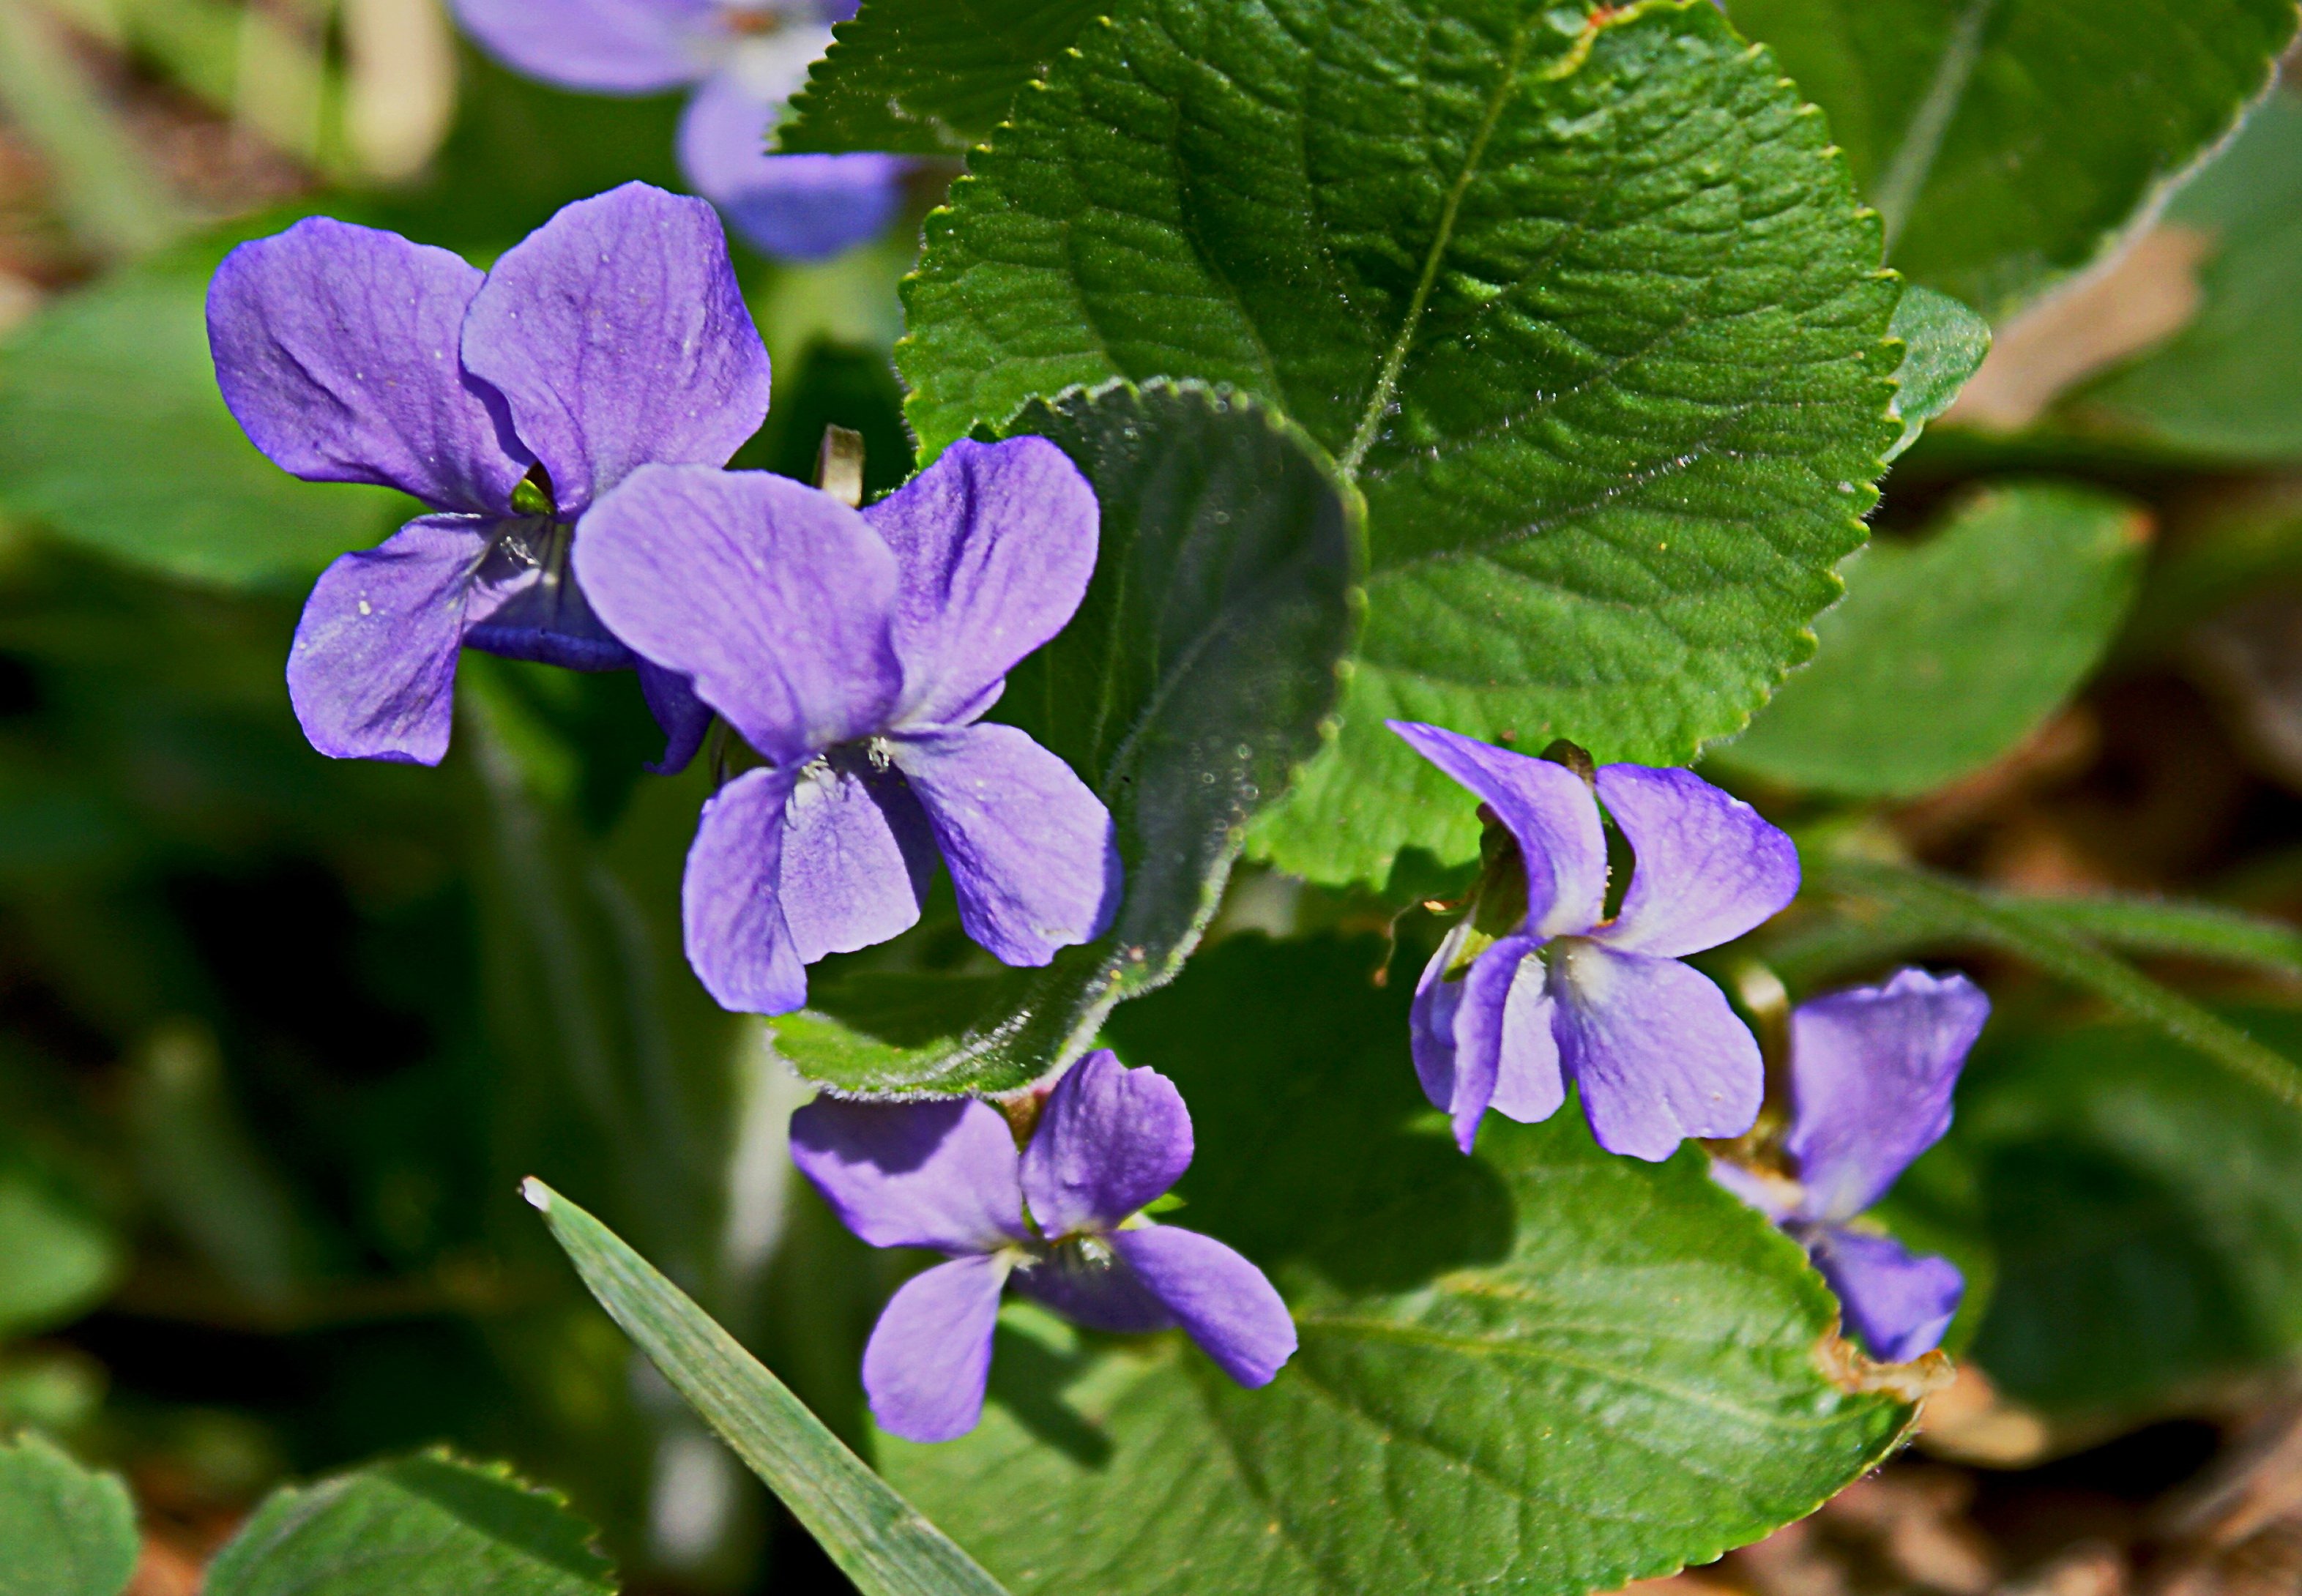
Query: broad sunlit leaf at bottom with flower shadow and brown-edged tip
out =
(1541, 1369)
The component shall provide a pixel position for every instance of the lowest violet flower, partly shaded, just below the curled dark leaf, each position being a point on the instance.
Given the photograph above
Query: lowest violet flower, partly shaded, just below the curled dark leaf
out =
(947, 1178)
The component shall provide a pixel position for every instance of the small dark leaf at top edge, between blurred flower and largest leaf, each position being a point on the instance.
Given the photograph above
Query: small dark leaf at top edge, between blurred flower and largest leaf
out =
(927, 77)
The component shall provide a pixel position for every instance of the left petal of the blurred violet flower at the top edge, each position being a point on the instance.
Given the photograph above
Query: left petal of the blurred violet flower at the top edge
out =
(607, 47)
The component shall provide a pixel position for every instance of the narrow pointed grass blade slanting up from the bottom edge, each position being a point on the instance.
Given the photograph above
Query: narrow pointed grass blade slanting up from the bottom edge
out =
(874, 1535)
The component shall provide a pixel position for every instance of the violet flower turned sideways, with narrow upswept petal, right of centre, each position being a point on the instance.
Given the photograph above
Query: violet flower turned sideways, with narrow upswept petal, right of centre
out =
(1569, 994)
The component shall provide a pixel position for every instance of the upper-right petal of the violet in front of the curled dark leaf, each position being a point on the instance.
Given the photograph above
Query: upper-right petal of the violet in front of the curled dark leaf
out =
(996, 547)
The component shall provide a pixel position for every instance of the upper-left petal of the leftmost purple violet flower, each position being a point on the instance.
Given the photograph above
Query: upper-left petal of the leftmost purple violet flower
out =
(337, 354)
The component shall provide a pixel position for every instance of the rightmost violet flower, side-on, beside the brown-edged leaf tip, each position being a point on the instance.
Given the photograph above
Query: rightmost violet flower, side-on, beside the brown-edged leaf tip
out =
(1870, 1090)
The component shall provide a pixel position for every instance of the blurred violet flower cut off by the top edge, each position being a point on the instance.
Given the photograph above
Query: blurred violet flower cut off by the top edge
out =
(747, 59)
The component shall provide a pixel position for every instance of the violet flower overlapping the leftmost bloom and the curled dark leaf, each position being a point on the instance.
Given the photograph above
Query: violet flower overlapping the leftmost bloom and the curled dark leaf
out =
(857, 651)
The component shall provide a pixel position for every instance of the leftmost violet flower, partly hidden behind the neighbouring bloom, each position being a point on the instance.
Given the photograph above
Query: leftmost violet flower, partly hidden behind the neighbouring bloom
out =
(508, 402)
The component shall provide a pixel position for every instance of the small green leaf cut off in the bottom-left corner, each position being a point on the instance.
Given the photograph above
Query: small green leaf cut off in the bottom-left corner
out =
(66, 1530)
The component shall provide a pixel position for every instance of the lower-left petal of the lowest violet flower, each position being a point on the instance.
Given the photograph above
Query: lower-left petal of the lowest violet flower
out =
(931, 1353)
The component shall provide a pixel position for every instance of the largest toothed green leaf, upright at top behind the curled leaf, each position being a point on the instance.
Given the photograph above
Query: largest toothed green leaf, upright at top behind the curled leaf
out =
(1585, 310)
